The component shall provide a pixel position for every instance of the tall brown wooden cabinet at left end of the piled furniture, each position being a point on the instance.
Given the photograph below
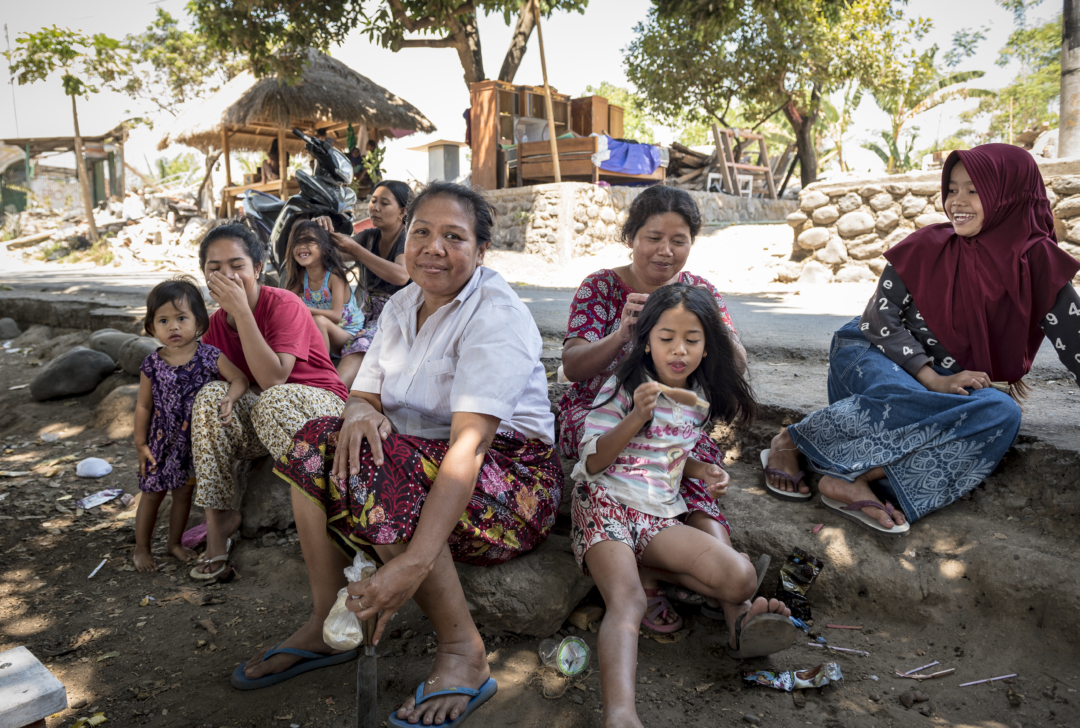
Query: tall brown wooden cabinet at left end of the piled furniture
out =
(506, 115)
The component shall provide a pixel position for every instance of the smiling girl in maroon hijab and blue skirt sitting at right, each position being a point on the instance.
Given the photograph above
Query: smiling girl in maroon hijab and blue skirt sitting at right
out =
(917, 415)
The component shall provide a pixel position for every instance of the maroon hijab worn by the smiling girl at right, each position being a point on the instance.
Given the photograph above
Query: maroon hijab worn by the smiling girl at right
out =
(984, 298)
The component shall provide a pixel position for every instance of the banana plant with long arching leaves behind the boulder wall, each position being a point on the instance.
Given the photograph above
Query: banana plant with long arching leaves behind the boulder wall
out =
(915, 85)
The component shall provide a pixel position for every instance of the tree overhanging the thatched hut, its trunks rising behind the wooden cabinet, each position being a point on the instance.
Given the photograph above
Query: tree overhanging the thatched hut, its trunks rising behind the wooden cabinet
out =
(275, 35)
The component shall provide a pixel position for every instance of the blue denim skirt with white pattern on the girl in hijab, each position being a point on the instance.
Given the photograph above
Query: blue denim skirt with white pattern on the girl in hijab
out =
(934, 448)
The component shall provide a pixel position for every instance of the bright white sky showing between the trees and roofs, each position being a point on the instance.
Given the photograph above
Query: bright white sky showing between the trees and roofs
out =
(582, 50)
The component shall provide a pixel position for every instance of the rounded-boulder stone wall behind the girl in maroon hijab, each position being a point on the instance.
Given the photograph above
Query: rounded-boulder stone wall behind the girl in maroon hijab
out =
(843, 230)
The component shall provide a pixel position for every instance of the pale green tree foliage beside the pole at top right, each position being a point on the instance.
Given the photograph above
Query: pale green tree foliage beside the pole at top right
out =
(1031, 101)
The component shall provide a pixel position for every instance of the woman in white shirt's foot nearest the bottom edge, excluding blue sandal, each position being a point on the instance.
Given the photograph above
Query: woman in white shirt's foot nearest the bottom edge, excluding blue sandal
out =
(458, 665)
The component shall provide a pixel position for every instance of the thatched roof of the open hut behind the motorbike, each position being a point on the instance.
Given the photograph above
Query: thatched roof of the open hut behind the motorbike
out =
(329, 98)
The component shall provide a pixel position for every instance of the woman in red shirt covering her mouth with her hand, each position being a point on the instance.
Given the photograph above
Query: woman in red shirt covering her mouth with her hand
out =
(272, 338)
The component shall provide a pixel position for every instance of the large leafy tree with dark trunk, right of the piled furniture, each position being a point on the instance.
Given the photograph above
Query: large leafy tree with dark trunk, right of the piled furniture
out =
(701, 60)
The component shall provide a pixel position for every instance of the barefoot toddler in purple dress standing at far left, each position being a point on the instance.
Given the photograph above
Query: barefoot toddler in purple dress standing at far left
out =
(171, 379)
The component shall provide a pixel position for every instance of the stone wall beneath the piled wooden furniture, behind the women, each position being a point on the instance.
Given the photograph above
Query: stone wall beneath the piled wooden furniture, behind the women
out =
(571, 220)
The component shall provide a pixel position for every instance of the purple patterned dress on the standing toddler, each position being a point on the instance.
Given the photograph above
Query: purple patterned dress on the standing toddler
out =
(173, 390)
